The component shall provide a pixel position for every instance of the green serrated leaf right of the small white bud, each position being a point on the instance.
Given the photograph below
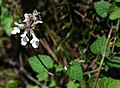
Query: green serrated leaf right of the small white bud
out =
(75, 71)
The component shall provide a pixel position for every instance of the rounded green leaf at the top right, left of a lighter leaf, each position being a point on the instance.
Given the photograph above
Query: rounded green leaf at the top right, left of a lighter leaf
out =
(102, 8)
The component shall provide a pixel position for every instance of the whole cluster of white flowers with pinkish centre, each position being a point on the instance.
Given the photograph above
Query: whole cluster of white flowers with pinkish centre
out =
(29, 24)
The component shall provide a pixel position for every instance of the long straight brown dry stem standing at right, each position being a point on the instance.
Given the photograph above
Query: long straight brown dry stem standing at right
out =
(103, 57)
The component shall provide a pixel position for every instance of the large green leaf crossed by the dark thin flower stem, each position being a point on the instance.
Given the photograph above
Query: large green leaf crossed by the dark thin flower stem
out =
(36, 64)
